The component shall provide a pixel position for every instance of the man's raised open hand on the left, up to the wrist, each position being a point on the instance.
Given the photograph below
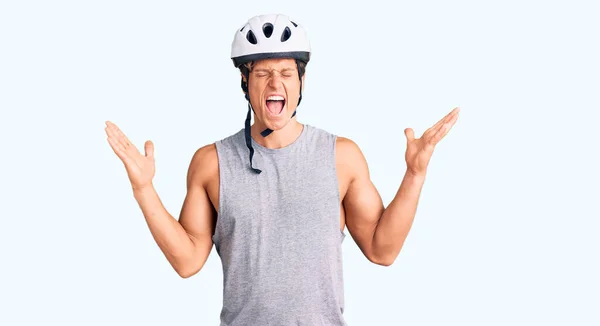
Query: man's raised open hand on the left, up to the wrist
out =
(140, 168)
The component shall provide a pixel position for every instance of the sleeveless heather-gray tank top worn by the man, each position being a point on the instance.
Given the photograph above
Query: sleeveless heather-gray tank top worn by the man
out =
(278, 233)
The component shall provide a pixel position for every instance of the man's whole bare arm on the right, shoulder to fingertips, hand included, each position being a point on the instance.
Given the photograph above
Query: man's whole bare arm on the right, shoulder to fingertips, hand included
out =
(378, 231)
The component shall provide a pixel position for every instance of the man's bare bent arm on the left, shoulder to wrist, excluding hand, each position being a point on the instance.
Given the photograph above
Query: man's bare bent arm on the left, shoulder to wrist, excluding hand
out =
(185, 243)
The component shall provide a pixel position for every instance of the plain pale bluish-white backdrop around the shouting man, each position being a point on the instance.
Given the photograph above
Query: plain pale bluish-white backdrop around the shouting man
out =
(506, 231)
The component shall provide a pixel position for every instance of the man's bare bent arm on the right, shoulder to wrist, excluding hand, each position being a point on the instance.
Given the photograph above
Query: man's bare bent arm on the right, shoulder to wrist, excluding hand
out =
(378, 231)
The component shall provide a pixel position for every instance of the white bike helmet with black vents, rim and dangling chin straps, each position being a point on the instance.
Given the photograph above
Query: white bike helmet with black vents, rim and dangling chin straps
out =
(267, 37)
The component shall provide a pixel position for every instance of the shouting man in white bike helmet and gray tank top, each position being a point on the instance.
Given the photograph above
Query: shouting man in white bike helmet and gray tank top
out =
(274, 197)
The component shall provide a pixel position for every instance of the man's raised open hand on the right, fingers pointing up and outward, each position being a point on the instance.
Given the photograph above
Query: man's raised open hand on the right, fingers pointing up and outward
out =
(419, 150)
